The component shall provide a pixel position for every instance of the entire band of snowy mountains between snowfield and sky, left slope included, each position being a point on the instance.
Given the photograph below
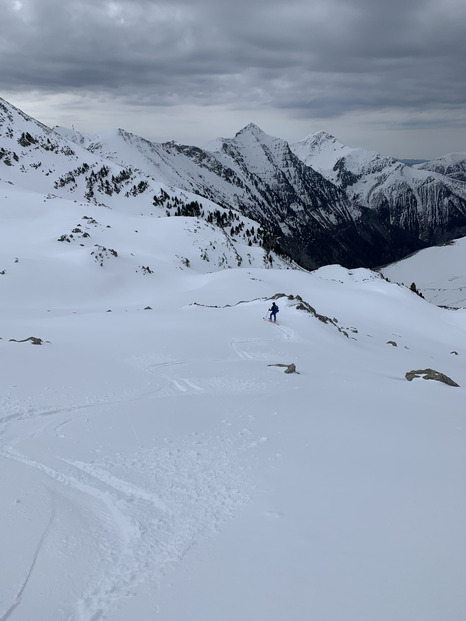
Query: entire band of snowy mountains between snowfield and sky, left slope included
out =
(316, 200)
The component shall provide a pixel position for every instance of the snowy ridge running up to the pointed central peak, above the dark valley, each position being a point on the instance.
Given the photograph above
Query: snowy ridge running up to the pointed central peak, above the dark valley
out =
(251, 173)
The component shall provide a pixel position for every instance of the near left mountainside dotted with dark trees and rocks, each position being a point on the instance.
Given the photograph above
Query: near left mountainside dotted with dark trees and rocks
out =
(66, 168)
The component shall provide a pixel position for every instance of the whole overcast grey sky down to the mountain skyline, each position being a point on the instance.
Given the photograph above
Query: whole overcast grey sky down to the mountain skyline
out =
(387, 75)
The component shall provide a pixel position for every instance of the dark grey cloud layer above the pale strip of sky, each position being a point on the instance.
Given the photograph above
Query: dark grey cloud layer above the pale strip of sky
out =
(319, 58)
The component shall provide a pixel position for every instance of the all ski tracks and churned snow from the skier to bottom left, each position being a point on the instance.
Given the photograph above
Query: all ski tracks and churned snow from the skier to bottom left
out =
(184, 490)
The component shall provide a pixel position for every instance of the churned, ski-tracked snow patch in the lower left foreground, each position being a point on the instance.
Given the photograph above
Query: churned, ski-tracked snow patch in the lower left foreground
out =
(190, 490)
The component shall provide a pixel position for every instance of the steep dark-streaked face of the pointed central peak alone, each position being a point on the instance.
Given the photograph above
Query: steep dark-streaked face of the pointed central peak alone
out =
(311, 217)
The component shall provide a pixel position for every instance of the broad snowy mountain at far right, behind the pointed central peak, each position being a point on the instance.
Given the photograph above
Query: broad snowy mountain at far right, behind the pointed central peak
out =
(428, 207)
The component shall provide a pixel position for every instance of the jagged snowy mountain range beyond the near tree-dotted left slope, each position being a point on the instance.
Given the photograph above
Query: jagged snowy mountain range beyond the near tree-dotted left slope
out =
(343, 205)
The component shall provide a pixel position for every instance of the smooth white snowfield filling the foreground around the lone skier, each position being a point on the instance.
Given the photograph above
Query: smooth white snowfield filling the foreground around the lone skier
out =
(156, 464)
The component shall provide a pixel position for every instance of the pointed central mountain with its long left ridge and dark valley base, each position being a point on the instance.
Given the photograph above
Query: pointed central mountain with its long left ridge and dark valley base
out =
(310, 217)
